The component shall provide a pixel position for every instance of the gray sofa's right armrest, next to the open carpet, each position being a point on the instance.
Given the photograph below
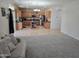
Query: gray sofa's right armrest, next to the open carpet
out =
(20, 50)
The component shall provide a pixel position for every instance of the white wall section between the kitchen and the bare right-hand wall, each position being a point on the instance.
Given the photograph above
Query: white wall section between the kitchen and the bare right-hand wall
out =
(56, 18)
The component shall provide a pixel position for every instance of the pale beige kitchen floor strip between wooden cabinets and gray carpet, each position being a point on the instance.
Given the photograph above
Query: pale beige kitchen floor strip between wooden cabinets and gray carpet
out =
(32, 32)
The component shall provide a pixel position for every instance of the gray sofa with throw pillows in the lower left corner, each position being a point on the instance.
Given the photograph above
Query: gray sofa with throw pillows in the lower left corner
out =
(18, 49)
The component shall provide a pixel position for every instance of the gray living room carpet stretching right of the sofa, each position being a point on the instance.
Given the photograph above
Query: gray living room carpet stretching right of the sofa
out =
(51, 45)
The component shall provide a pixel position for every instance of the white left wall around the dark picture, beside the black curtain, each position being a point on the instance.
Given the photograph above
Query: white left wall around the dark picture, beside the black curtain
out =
(4, 27)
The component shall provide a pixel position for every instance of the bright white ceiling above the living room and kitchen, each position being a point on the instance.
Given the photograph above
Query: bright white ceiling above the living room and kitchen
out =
(41, 3)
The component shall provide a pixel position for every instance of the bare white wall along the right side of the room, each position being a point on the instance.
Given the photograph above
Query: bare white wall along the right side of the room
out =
(70, 19)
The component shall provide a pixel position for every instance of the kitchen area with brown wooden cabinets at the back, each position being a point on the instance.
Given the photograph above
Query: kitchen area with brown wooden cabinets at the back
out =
(32, 18)
